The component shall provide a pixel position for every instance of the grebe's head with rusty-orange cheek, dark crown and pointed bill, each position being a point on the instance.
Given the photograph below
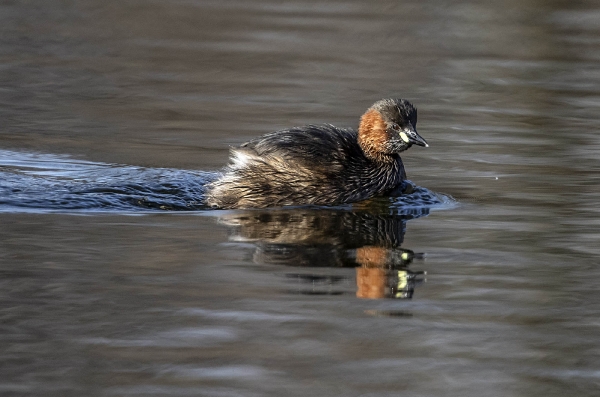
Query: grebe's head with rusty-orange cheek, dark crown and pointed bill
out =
(389, 127)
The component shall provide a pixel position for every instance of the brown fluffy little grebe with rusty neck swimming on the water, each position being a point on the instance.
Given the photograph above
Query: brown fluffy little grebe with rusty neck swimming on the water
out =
(321, 164)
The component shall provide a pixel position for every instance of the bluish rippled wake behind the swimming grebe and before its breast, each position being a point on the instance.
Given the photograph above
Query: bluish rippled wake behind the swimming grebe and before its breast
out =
(32, 182)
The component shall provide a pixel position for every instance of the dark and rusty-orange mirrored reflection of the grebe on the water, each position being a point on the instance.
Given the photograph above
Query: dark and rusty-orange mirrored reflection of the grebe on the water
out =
(367, 237)
